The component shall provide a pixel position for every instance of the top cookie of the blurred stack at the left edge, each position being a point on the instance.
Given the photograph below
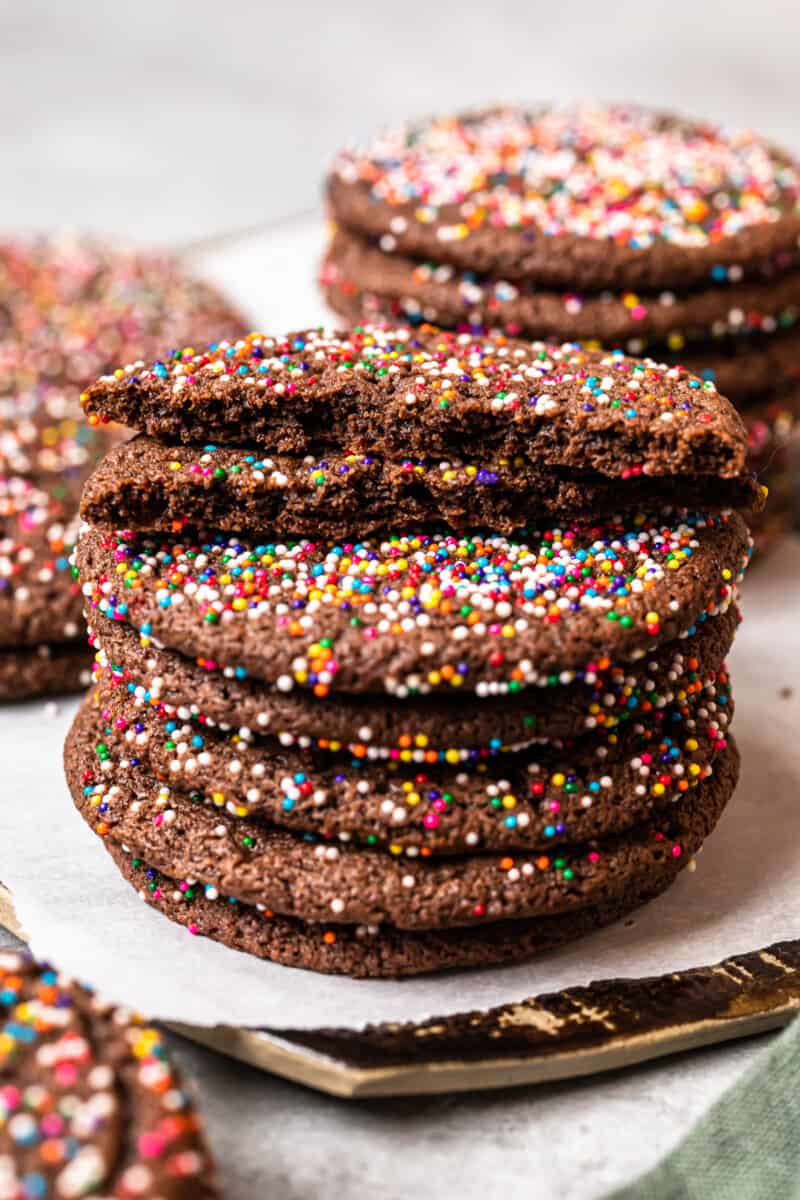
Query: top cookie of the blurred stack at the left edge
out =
(69, 310)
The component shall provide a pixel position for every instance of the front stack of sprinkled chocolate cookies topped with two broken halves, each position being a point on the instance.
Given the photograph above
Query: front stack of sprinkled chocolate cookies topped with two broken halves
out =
(346, 713)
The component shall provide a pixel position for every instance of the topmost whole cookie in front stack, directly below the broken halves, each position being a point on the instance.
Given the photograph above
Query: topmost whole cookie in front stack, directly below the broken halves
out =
(418, 614)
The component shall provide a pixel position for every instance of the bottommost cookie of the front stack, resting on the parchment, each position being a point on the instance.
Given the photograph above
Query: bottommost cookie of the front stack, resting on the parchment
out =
(366, 952)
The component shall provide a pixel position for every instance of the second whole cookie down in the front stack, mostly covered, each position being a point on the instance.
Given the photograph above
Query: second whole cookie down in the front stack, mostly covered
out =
(423, 730)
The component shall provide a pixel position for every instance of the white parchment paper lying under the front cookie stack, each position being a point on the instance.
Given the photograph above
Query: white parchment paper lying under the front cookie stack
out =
(79, 913)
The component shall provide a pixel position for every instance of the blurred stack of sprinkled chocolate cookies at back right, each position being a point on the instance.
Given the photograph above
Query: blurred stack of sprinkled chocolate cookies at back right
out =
(606, 226)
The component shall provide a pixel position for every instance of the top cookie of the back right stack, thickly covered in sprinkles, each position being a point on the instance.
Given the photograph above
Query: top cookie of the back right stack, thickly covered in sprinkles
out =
(591, 197)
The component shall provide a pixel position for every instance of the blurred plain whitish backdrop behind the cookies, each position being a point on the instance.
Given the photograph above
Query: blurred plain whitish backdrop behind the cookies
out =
(175, 119)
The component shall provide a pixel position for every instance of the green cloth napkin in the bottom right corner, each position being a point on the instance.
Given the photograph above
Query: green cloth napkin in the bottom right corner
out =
(748, 1145)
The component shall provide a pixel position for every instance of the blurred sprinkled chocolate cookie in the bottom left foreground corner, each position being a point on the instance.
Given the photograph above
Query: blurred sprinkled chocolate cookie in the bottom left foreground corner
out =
(91, 1105)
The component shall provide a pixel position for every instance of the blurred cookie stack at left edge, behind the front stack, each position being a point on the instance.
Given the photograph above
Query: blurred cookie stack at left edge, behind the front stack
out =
(69, 310)
